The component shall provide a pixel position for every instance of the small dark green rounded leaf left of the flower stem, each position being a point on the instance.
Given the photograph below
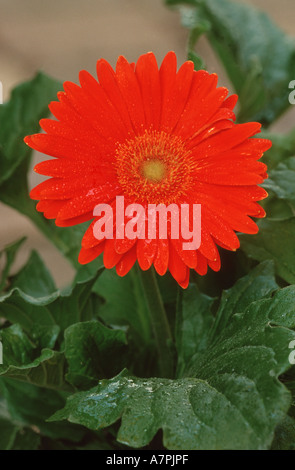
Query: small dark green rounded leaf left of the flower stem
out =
(93, 351)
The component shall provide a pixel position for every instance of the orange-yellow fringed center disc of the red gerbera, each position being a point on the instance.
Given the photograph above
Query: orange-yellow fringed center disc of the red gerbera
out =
(154, 168)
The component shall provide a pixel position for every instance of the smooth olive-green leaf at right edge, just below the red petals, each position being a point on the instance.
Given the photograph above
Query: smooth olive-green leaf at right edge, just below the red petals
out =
(275, 241)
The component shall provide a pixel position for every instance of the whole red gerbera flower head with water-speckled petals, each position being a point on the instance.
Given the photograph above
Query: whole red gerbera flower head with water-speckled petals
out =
(153, 136)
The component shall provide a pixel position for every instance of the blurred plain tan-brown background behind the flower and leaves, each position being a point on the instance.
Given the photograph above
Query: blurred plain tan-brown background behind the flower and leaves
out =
(62, 37)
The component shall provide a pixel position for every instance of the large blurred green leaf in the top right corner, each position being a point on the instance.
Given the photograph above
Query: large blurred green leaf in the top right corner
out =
(260, 78)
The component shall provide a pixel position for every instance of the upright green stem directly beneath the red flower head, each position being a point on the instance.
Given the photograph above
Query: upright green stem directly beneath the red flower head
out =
(159, 321)
